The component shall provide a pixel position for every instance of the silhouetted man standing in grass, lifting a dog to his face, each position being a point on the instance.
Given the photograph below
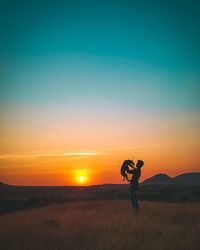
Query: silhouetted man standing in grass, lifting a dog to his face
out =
(134, 185)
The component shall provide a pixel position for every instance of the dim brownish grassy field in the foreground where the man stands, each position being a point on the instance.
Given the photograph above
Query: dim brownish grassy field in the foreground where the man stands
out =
(99, 225)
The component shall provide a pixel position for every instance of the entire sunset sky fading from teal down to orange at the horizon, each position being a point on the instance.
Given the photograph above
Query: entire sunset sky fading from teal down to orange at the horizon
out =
(87, 84)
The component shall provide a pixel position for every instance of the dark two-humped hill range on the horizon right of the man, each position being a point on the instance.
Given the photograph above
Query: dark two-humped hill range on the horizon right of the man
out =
(192, 179)
